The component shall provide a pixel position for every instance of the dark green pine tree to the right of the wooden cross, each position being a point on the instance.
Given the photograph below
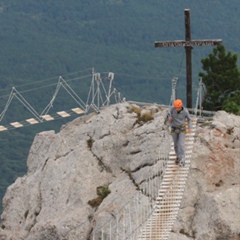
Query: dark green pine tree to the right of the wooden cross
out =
(222, 81)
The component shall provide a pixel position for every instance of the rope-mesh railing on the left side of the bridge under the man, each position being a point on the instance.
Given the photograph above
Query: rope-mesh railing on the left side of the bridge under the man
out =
(128, 222)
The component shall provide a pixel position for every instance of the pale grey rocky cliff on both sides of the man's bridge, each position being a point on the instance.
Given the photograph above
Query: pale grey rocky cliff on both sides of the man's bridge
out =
(80, 176)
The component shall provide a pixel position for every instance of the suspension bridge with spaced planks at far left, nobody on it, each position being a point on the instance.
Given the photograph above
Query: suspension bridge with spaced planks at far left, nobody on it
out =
(101, 94)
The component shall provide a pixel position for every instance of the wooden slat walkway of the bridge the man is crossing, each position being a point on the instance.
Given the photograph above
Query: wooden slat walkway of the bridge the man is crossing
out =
(170, 195)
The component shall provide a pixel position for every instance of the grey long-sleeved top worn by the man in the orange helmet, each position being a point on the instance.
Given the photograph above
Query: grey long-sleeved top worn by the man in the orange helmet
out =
(179, 118)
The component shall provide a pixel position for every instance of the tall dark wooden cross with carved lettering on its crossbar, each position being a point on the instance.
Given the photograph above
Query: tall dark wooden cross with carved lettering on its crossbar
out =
(188, 44)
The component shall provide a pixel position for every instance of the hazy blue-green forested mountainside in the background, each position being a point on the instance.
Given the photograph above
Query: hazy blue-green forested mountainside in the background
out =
(45, 39)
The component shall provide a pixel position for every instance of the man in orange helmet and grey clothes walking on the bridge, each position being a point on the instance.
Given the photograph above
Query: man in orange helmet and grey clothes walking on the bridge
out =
(177, 117)
